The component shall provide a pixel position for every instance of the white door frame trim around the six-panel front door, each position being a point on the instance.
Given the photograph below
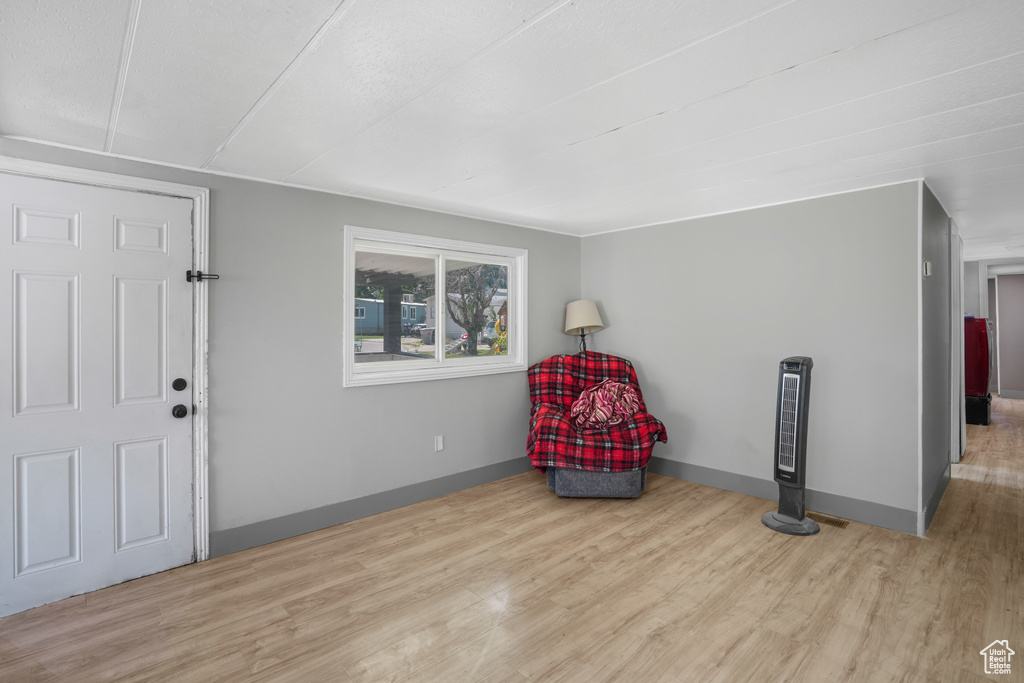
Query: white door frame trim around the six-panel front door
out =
(201, 241)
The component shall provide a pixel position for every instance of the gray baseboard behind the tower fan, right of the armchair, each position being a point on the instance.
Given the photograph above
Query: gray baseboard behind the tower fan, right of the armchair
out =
(830, 504)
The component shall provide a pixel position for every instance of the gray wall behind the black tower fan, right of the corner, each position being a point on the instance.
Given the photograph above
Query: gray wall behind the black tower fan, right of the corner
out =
(708, 309)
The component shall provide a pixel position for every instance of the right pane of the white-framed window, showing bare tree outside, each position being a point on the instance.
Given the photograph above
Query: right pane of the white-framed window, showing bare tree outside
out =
(477, 307)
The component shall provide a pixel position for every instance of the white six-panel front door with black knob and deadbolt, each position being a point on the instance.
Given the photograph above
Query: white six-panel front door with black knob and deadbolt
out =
(97, 324)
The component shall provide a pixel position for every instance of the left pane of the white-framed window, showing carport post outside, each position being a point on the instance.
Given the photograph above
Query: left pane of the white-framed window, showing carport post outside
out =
(392, 293)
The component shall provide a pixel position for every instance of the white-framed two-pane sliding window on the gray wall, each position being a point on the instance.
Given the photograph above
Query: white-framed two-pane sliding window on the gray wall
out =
(463, 285)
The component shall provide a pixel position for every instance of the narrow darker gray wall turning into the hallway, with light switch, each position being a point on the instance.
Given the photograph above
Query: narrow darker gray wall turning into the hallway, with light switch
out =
(936, 367)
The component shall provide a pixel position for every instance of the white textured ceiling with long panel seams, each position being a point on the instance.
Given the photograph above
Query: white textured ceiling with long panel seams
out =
(577, 116)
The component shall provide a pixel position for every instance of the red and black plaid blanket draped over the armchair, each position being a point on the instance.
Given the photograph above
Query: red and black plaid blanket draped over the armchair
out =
(554, 442)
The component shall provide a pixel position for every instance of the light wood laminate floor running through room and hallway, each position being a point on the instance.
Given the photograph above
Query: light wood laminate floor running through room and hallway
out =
(508, 583)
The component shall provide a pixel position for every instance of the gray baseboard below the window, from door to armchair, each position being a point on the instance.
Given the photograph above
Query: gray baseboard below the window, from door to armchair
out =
(259, 534)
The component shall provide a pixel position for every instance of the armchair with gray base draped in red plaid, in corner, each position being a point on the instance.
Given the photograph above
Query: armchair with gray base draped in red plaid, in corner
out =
(582, 460)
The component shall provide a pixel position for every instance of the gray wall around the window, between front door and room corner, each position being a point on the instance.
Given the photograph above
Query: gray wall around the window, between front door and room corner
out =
(286, 437)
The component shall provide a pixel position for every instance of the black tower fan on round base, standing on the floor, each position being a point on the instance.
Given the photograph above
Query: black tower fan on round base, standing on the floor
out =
(791, 448)
